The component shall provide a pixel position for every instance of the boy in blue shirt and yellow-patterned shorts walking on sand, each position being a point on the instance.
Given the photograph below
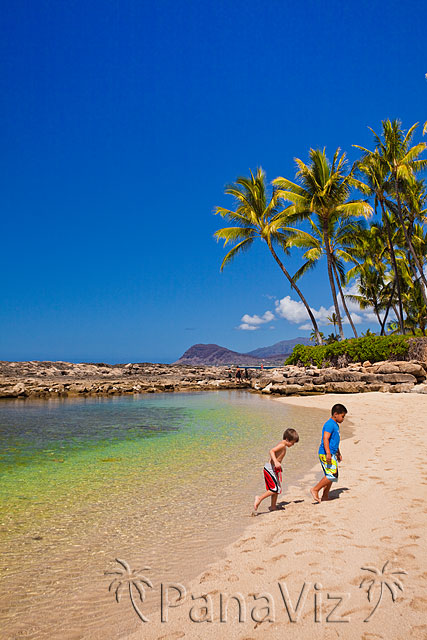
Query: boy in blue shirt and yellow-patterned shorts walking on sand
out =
(329, 452)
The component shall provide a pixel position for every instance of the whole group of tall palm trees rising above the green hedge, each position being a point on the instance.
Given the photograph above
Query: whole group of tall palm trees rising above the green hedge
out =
(377, 240)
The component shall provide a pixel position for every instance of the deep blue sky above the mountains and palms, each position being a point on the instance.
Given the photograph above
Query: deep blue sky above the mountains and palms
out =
(121, 123)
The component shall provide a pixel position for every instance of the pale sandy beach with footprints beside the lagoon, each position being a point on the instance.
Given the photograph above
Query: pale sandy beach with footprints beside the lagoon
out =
(297, 572)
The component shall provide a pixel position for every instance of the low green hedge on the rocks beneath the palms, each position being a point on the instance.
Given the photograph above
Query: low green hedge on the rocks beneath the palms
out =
(372, 348)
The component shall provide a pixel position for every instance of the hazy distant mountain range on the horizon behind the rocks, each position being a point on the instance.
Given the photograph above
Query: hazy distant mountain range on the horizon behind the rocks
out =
(214, 355)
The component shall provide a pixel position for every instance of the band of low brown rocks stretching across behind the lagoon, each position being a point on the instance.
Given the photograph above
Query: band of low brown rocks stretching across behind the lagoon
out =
(64, 379)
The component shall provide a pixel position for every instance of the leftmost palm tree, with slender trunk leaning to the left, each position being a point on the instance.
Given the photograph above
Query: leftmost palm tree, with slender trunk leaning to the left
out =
(257, 217)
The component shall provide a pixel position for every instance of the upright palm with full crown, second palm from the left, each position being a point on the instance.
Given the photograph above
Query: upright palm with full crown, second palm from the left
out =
(323, 191)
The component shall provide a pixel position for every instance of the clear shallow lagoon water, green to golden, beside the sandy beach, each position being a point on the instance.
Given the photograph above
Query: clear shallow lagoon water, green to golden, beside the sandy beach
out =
(163, 481)
